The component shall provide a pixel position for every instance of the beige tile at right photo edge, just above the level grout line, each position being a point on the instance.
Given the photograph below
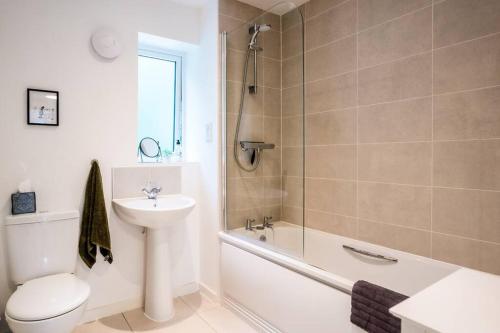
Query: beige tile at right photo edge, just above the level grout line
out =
(469, 115)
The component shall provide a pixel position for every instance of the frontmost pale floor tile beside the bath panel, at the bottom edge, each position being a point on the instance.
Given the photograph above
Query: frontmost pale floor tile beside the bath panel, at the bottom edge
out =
(224, 321)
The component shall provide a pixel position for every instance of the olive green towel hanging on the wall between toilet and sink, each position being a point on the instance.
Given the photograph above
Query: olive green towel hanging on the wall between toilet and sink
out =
(94, 230)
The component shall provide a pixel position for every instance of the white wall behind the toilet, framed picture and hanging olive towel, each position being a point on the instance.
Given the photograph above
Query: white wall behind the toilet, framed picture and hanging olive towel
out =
(45, 44)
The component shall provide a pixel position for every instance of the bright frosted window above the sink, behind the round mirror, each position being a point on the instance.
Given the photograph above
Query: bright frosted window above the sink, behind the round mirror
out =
(160, 97)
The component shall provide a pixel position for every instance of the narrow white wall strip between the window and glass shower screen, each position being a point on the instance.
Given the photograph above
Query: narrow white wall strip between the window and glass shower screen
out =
(203, 141)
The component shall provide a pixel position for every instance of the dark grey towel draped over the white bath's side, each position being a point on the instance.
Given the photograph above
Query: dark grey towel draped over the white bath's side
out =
(370, 306)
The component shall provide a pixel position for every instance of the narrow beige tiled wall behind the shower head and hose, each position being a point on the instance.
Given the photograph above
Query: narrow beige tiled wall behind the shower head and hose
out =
(253, 194)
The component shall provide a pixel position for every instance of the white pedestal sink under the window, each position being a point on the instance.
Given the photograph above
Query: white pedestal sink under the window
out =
(157, 216)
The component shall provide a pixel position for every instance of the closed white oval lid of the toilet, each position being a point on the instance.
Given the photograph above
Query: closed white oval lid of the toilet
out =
(47, 297)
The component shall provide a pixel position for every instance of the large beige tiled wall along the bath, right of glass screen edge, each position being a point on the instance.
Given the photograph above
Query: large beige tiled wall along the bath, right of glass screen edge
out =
(403, 125)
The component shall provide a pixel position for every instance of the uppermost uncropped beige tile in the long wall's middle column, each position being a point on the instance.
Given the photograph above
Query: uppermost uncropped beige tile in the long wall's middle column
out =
(403, 37)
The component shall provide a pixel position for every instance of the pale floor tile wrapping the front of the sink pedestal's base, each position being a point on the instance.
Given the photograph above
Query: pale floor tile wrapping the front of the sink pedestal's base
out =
(185, 321)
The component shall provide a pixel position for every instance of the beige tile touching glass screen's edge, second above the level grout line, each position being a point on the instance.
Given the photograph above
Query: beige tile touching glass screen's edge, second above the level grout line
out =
(337, 92)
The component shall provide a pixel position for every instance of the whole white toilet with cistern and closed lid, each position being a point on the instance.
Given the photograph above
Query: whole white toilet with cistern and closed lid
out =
(42, 250)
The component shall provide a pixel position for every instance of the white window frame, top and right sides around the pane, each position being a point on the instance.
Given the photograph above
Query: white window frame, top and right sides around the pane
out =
(166, 55)
